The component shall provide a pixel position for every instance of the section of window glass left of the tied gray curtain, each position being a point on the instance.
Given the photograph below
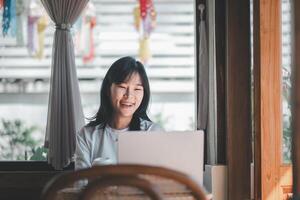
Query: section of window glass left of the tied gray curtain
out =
(24, 72)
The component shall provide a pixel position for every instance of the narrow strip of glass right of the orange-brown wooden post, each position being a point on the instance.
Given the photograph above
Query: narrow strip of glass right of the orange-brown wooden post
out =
(286, 80)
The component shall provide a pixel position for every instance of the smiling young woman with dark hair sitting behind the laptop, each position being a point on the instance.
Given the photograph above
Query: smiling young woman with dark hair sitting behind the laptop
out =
(124, 99)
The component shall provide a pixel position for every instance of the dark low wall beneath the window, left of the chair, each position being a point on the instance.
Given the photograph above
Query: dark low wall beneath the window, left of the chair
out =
(25, 179)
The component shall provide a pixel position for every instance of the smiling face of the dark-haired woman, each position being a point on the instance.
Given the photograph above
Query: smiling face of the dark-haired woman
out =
(126, 97)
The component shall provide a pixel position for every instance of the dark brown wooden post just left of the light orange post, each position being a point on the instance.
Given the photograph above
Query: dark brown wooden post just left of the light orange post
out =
(238, 99)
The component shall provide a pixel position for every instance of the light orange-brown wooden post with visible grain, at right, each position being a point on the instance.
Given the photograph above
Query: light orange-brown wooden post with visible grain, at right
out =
(267, 98)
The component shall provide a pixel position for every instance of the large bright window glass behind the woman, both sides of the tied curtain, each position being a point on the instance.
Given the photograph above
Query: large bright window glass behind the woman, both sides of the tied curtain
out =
(105, 31)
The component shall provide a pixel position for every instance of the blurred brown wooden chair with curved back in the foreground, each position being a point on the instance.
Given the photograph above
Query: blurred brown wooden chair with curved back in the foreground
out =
(171, 183)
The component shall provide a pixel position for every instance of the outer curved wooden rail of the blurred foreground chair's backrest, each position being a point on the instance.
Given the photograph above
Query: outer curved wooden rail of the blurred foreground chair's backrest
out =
(150, 173)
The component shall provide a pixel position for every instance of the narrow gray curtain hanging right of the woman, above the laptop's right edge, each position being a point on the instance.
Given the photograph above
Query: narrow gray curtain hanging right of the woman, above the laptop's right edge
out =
(206, 105)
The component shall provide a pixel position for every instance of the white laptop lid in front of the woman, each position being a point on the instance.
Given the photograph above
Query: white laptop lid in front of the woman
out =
(181, 151)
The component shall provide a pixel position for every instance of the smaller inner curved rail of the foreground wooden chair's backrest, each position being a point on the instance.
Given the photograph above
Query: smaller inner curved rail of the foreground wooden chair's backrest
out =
(96, 187)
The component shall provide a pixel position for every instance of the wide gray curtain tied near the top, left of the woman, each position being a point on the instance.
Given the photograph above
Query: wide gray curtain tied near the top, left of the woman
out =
(65, 115)
